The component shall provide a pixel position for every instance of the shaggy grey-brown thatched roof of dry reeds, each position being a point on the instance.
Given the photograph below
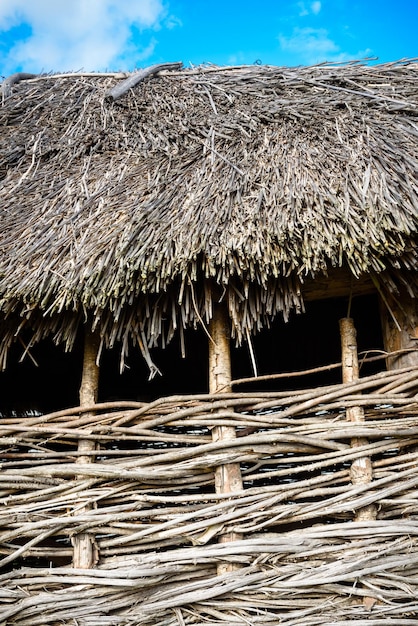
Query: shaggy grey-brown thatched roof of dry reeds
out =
(253, 178)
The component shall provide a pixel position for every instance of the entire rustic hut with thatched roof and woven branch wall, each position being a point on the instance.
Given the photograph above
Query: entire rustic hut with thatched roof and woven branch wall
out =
(208, 345)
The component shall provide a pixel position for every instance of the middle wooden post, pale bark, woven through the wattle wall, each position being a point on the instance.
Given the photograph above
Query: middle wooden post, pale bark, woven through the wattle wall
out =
(228, 477)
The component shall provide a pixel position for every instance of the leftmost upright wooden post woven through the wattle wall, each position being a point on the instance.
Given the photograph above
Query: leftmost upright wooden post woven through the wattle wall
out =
(85, 550)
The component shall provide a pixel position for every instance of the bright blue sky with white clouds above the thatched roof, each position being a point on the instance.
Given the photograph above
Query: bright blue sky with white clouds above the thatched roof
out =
(96, 35)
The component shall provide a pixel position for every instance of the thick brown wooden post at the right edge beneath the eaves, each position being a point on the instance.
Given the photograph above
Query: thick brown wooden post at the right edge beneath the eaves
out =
(402, 334)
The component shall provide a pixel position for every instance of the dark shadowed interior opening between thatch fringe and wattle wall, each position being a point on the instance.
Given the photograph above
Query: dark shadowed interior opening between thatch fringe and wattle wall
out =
(307, 341)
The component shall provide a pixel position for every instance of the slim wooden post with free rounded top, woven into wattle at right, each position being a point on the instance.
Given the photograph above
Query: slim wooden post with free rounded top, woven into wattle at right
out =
(361, 470)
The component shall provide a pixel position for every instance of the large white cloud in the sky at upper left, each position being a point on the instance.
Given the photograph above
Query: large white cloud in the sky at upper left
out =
(81, 34)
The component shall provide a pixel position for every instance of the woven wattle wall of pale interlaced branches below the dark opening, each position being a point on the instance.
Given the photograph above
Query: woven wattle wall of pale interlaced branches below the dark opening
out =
(149, 501)
